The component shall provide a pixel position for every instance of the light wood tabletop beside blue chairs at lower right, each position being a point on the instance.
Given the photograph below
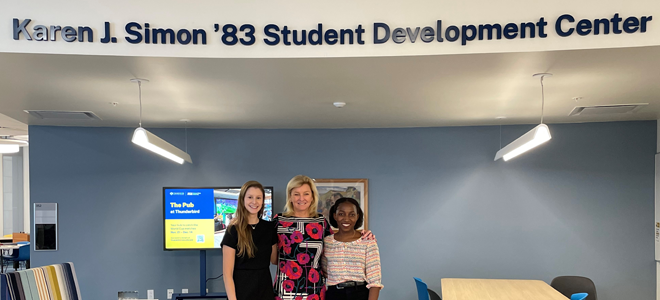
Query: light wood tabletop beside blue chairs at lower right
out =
(497, 289)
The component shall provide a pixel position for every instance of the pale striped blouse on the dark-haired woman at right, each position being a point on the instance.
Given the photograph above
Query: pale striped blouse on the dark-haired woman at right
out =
(351, 261)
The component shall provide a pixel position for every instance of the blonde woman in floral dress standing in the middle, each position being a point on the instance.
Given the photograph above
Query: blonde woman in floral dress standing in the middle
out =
(300, 231)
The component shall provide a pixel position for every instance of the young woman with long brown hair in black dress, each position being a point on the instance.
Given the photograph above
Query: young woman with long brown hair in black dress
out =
(247, 247)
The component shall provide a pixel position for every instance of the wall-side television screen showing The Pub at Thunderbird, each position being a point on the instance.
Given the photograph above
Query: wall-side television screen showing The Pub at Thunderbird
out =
(196, 218)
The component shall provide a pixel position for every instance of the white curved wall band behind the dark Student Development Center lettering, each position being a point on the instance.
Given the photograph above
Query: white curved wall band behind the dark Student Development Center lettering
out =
(305, 14)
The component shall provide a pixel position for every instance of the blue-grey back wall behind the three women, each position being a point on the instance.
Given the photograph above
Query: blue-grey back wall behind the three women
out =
(439, 206)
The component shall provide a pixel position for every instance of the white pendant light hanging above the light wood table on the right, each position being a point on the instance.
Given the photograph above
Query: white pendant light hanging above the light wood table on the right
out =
(535, 137)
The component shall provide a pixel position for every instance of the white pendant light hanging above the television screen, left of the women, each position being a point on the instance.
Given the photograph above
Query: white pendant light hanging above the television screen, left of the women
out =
(151, 142)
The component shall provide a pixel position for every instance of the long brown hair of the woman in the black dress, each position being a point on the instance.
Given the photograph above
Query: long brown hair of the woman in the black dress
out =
(245, 243)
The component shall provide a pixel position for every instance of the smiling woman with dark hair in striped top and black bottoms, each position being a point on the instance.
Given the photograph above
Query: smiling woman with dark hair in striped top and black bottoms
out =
(352, 264)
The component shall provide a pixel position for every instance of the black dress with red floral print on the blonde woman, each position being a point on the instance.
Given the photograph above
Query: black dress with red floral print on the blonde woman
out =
(300, 248)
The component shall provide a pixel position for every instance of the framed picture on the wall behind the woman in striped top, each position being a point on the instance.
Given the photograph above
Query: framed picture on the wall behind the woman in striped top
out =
(331, 189)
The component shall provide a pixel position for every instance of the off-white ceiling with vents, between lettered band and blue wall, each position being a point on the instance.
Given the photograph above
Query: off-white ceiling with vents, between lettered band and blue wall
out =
(419, 91)
